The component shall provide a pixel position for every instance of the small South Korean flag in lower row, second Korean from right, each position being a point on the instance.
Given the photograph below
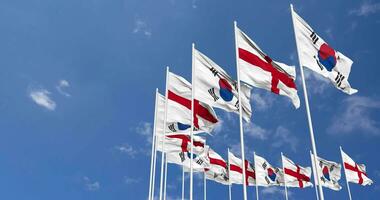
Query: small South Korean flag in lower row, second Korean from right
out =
(266, 174)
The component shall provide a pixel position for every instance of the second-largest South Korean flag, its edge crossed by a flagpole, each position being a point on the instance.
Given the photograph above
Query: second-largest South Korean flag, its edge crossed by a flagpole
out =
(216, 88)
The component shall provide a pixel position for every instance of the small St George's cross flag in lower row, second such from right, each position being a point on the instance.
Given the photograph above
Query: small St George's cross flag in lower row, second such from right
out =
(295, 175)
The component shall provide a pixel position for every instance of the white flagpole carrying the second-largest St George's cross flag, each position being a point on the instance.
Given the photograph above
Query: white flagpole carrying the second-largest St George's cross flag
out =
(164, 133)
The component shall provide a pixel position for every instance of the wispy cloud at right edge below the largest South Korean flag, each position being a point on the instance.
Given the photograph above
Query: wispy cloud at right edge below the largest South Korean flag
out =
(356, 116)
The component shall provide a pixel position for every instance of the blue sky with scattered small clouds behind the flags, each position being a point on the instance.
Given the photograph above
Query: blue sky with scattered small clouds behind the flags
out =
(78, 78)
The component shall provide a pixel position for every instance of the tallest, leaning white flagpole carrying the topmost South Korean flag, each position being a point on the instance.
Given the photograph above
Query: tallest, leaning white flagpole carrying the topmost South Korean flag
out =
(314, 148)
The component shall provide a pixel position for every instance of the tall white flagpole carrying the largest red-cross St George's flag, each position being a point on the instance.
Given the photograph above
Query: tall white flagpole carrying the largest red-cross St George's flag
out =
(240, 115)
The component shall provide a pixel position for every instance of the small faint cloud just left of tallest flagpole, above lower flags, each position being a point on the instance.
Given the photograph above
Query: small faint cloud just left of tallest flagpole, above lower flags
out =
(283, 137)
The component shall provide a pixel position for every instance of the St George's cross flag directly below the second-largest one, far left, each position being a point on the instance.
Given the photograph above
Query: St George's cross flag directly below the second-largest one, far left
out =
(175, 142)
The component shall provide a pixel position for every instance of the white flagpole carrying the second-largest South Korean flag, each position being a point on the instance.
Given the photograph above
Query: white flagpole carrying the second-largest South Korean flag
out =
(192, 119)
